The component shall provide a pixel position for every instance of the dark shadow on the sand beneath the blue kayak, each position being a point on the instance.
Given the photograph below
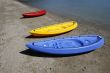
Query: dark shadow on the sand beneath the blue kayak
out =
(40, 54)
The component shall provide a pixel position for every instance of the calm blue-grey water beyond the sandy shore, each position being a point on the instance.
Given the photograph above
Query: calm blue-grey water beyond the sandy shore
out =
(92, 10)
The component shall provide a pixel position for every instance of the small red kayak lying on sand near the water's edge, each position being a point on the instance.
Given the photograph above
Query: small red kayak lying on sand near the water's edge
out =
(35, 14)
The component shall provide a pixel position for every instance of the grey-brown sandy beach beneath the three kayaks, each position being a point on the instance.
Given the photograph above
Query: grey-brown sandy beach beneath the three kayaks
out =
(16, 58)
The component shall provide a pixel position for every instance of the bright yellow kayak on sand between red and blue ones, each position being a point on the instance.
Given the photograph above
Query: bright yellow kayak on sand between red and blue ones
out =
(54, 29)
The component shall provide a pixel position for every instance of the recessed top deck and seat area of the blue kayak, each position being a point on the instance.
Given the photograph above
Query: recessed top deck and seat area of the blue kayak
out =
(67, 42)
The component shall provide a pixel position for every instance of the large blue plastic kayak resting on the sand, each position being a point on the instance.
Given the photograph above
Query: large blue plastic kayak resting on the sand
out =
(68, 45)
